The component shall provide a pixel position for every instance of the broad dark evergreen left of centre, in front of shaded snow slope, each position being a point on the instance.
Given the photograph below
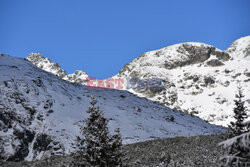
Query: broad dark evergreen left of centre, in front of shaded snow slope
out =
(97, 148)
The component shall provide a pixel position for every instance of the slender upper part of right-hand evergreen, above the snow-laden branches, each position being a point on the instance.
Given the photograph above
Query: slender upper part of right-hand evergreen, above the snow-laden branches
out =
(240, 114)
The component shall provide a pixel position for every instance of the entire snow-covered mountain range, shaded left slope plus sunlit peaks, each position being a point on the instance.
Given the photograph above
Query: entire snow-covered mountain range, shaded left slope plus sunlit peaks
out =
(198, 79)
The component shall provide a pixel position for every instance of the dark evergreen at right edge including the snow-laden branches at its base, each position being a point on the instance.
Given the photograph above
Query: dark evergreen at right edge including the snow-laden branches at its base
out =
(238, 145)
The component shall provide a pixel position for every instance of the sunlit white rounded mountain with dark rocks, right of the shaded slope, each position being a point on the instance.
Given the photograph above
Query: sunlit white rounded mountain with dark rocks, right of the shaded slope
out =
(197, 78)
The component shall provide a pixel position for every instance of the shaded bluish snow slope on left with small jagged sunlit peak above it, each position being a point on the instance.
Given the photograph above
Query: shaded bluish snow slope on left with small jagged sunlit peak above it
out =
(40, 112)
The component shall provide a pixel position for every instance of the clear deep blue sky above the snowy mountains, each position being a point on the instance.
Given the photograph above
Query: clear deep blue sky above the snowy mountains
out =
(101, 36)
